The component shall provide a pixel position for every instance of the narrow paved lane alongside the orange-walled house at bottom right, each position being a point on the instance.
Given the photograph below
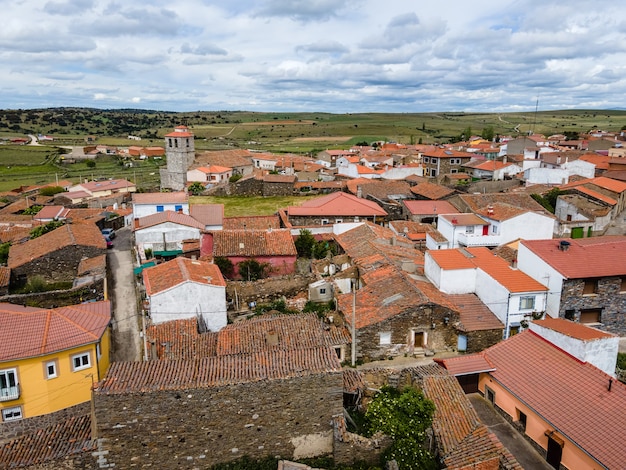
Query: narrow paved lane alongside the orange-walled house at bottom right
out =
(525, 454)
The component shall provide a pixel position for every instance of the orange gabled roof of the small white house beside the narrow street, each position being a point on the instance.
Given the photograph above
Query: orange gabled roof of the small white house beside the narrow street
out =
(180, 270)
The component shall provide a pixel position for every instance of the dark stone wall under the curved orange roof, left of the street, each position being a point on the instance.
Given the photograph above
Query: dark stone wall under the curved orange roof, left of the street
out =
(57, 266)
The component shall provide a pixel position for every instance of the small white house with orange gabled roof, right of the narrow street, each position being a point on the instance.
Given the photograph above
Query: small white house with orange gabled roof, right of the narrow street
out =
(185, 288)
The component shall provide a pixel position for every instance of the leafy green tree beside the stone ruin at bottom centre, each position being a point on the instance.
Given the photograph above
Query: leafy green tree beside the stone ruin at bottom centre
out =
(404, 416)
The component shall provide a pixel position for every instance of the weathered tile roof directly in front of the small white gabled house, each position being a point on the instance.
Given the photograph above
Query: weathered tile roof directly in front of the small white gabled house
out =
(180, 339)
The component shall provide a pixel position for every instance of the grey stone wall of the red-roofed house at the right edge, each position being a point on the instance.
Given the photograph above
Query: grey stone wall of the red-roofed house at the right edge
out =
(608, 297)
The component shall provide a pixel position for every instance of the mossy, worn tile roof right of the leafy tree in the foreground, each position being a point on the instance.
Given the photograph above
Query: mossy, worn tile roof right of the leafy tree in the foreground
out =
(463, 441)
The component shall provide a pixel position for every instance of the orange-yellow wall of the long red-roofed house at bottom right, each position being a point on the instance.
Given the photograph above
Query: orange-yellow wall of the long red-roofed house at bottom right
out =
(536, 427)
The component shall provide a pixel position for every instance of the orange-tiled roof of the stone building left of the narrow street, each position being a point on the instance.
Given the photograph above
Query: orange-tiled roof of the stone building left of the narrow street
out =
(82, 234)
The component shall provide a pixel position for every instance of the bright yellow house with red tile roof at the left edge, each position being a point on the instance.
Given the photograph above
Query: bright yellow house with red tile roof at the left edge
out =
(49, 358)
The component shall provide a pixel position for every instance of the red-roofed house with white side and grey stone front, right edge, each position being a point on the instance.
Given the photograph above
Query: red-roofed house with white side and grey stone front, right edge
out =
(586, 278)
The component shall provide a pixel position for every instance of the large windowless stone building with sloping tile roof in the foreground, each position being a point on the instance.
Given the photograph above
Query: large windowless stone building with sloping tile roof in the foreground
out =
(260, 404)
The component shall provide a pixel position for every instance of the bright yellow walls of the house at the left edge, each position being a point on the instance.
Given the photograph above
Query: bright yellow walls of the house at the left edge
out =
(41, 395)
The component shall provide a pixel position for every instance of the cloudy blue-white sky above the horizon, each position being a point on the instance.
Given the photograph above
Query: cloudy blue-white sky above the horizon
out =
(336, 56)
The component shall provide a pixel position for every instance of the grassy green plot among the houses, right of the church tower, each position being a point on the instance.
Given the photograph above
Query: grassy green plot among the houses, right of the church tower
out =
(239, 206)
